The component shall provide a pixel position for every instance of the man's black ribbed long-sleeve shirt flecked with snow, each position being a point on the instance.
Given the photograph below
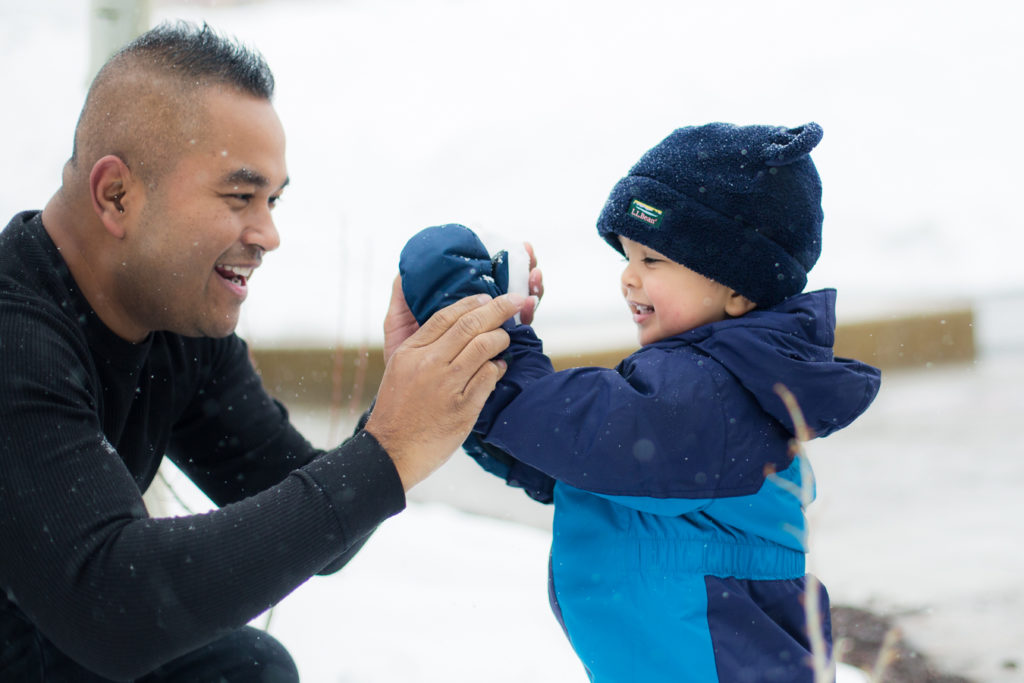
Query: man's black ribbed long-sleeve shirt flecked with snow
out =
(86, 420)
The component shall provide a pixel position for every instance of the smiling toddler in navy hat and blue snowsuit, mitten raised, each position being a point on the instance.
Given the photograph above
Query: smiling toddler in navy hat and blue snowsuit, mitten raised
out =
(679, 535)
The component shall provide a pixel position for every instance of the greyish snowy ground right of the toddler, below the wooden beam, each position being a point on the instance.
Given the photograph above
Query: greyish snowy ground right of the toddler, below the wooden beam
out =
(920, 513)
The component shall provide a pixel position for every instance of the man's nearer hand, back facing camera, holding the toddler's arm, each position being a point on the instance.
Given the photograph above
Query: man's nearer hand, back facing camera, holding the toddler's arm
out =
(438, 380)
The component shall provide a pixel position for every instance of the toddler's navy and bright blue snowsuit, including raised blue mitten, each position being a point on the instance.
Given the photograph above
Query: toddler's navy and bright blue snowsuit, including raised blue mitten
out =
(677, 556)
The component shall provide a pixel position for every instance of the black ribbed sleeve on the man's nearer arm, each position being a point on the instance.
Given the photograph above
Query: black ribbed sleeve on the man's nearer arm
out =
(121, 592)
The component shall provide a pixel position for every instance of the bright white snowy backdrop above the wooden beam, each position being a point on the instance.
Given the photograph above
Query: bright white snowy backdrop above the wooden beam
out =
(517, 117)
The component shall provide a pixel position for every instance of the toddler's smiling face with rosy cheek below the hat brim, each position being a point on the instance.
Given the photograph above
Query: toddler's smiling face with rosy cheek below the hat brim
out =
(667, 298)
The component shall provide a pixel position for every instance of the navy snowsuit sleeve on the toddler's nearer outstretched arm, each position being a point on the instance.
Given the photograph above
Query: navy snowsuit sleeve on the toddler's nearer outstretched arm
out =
(658, 428)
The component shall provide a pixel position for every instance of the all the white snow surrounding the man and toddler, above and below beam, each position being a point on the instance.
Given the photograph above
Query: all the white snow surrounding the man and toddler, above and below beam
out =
(517, 118)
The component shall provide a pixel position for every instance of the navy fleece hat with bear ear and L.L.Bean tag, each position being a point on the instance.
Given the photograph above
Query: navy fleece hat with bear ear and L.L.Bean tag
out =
(739, 204)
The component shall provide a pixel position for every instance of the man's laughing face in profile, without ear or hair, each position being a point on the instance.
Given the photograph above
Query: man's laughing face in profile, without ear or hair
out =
(206, 224)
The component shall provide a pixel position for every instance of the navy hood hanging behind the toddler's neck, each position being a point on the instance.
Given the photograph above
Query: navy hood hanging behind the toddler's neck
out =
(792, 345)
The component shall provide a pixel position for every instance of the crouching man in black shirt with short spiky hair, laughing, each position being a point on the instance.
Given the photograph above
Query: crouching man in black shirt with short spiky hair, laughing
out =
(118, 306)
